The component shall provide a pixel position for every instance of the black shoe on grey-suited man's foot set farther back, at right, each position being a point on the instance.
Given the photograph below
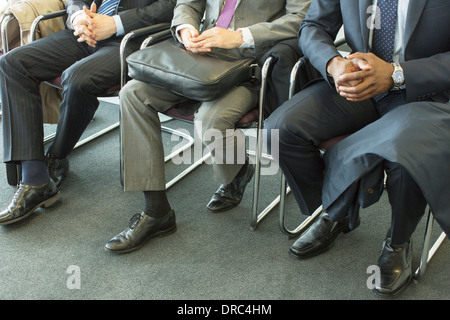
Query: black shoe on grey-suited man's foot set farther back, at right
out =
(230, 195)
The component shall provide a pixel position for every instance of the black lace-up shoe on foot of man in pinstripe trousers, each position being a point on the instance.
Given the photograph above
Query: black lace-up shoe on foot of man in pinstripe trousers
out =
(27, 199)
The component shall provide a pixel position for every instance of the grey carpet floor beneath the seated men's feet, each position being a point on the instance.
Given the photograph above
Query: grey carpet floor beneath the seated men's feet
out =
(58, 253)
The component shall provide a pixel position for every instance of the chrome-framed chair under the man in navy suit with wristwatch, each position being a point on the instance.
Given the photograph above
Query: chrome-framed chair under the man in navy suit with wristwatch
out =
(427, 251)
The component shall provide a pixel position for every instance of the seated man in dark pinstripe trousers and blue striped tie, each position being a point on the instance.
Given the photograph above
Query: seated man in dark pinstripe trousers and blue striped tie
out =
(86, 54)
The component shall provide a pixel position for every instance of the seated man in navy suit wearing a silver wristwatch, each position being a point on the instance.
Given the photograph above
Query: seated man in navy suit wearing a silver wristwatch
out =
(400, 56)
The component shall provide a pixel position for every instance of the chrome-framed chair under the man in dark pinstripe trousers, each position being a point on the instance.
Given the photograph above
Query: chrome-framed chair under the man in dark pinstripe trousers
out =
(13, 171)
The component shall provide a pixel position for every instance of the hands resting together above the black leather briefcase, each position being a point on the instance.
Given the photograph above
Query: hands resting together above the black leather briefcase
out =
(212, 38)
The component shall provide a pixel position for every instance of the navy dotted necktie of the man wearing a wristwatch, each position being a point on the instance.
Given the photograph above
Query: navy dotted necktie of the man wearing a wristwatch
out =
(383, 37)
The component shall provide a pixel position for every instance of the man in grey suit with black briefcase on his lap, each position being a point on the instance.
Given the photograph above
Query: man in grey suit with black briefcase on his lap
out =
(252, 28)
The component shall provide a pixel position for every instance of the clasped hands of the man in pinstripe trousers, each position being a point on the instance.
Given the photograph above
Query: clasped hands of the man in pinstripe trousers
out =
(91, 27)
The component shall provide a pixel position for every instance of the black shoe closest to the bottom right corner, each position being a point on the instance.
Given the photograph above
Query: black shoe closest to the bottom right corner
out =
(395, 265)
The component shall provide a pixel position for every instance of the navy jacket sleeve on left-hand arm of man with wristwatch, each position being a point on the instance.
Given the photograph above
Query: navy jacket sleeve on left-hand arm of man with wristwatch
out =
(318, 31)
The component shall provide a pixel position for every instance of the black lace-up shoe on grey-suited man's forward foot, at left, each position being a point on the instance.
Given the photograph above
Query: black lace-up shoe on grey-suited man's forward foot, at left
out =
(141, 228)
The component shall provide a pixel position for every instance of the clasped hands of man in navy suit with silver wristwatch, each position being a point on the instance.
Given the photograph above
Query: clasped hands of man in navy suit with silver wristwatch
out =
(361, 76)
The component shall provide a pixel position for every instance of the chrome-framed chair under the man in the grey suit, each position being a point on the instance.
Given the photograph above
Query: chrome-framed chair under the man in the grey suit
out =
(254, 118)
